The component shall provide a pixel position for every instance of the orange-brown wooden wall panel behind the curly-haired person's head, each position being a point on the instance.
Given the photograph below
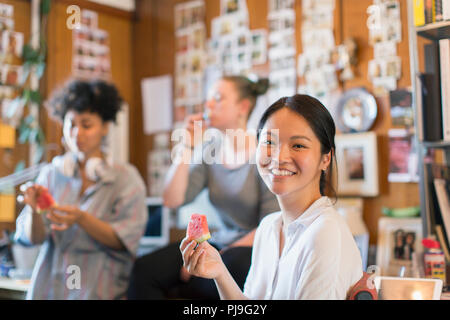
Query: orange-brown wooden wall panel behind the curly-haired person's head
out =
(119, 27)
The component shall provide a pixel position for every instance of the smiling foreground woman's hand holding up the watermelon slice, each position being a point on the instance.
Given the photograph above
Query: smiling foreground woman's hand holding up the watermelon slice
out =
(201, 261)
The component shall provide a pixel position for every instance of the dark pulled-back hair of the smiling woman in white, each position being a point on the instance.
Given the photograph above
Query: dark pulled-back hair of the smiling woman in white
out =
(322, 124)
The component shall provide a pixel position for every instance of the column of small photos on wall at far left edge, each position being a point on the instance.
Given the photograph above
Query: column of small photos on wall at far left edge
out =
(11, 71)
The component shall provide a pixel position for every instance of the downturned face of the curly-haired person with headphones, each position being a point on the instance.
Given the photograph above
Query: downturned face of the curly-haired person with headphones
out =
(83, 132)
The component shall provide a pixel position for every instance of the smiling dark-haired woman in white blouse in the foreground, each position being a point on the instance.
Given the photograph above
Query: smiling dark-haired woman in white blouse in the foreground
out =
(305, 251)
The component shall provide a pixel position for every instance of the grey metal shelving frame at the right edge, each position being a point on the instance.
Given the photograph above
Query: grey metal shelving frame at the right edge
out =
(433, 32)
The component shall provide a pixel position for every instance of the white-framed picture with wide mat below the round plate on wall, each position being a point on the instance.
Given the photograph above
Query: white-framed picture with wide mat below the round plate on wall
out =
(357, 162)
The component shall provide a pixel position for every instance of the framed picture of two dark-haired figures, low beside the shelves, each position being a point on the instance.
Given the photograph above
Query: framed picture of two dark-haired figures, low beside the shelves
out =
(399, 247)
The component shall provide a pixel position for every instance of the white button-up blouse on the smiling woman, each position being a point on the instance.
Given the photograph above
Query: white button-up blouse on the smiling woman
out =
(320, 259)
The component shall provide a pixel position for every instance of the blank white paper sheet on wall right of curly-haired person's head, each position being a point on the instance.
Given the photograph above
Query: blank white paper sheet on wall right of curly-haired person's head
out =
(157, 104)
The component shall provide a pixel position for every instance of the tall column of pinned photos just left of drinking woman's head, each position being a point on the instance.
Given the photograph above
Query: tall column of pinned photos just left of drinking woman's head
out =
(190, 59)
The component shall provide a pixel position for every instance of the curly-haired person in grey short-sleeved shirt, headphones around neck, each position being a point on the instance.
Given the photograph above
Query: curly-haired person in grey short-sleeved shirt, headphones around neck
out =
(90, 237)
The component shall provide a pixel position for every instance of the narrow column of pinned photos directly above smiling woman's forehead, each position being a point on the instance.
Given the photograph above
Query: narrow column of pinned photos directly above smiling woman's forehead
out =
(282, 49)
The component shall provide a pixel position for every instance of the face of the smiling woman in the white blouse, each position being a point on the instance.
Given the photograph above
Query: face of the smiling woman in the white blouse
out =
(289, 157)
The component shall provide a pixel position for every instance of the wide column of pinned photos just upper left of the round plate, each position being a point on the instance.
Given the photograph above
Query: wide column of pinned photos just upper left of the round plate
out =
(316, 70)
